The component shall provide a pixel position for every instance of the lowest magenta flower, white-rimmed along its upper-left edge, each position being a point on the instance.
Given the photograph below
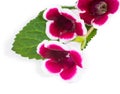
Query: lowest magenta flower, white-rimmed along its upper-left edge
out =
(59, 58)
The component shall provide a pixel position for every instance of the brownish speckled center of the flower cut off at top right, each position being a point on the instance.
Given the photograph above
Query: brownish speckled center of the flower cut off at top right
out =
(99, 8)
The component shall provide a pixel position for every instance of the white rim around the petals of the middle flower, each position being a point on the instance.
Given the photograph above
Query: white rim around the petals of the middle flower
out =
(74, 13)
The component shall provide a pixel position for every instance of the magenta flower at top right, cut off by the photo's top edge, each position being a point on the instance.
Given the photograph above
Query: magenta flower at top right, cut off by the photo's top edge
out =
(97, 11)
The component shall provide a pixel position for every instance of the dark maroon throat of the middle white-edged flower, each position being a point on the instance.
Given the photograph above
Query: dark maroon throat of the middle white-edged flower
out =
(64, 24)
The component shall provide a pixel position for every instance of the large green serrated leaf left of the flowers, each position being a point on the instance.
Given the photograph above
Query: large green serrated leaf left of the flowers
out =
(29, 37)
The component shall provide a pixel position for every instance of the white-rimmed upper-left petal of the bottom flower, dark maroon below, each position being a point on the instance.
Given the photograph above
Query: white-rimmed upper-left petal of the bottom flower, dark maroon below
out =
(52, 49)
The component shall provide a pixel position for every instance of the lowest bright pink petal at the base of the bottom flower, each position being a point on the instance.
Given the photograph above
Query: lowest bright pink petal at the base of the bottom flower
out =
(68, 73)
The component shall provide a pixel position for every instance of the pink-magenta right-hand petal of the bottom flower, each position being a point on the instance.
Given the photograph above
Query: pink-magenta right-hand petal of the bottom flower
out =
(76, 57)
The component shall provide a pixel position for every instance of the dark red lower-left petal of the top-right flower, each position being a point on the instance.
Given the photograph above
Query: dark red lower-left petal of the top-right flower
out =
(86, 17)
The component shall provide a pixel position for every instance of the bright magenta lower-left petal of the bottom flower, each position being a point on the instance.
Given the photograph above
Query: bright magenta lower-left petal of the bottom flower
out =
(53, 66)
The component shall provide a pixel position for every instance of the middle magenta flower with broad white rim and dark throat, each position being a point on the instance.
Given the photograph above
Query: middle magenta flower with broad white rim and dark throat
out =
(62, 24)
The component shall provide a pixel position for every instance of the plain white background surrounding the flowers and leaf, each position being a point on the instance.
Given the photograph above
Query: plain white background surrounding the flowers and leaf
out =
(19, 75)
